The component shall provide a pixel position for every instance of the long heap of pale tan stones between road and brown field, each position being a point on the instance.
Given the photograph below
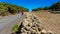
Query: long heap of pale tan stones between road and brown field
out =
(31, 25)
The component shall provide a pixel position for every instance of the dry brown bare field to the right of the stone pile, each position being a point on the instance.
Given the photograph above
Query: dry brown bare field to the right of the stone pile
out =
(49, 21)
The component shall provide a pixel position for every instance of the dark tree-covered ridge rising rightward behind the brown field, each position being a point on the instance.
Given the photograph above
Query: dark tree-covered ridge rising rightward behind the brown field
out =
(53, 7)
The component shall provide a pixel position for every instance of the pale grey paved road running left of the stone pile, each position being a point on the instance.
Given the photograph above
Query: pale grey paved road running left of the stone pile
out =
(8, 22)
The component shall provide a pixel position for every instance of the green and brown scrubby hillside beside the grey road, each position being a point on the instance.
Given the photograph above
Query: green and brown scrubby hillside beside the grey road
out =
(6, 9)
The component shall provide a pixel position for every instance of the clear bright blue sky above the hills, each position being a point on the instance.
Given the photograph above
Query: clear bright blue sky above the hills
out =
(31, 4)
